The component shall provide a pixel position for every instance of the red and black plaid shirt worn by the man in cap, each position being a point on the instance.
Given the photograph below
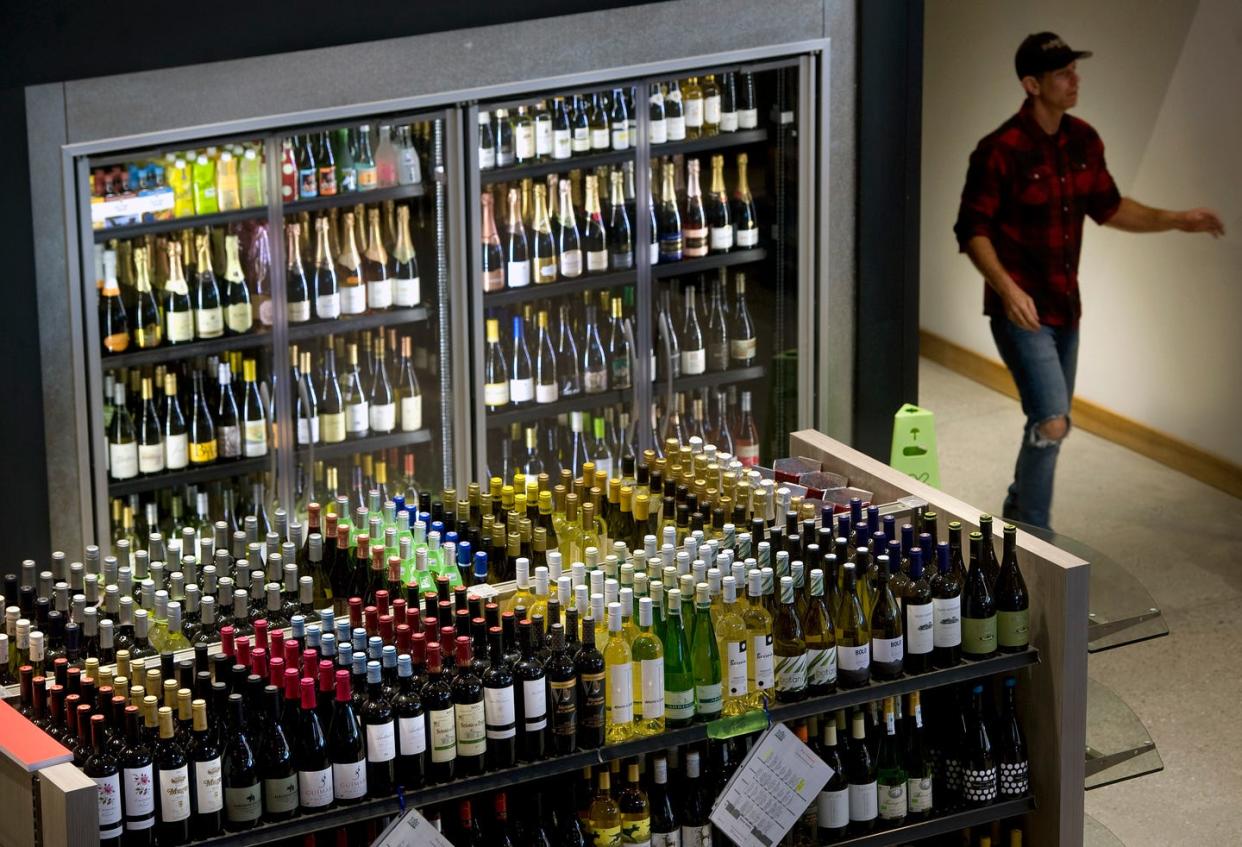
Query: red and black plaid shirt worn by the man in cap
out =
(1028, 192)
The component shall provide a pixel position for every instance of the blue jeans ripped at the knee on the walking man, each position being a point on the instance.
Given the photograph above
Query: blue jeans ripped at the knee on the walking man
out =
(1044, 365)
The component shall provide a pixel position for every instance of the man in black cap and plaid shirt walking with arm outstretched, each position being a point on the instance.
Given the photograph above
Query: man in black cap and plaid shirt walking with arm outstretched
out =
(1029, 187)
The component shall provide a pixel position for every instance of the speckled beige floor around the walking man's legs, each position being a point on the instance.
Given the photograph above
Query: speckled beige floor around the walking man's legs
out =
(1178, 537)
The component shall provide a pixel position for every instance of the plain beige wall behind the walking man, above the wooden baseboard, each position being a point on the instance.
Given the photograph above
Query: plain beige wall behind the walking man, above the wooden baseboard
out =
(1162, 332)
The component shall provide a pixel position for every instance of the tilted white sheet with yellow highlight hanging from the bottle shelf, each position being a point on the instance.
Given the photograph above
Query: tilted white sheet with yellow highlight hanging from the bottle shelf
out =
(772, 789)
